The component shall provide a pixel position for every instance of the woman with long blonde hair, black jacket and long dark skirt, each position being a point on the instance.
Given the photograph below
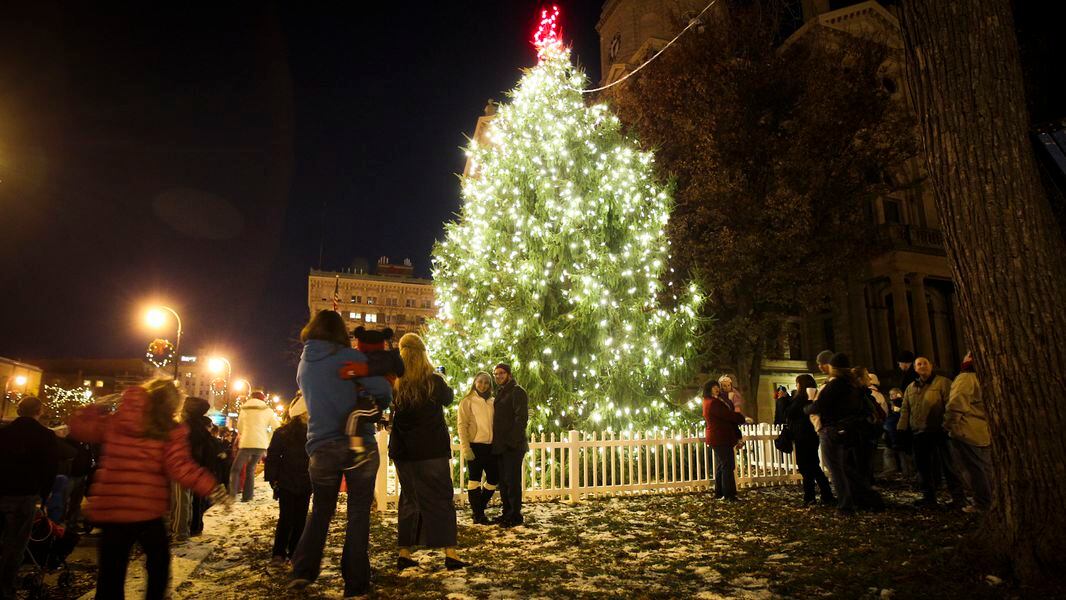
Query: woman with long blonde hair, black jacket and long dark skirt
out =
(422, 450)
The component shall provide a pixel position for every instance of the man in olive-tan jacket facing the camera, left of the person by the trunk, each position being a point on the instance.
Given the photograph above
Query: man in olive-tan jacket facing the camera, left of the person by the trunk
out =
(924, 410)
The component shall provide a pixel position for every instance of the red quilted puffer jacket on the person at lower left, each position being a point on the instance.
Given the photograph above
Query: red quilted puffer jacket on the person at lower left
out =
(133, 483)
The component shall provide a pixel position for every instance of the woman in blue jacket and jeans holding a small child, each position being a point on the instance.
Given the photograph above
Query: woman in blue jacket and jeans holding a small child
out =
(330, 400)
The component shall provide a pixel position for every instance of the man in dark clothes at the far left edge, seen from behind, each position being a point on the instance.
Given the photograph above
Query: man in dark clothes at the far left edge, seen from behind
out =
(29, 459)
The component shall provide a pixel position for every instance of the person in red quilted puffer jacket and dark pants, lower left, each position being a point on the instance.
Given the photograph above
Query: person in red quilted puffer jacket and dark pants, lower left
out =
(144, 449)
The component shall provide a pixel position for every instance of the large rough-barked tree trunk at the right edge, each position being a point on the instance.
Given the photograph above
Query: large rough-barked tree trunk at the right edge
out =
(1008, 260)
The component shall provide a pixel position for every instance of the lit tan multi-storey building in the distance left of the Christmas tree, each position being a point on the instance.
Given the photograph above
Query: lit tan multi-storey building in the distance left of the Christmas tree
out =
(391, 297)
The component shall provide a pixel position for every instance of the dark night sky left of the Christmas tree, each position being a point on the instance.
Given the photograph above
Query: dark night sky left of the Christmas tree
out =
(204, 157)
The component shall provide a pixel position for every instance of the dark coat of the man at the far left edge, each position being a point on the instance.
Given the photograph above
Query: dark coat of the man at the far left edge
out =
(29, 459)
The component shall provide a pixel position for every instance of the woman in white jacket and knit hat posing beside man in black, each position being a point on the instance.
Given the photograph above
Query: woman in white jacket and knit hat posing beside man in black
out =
(475, 424)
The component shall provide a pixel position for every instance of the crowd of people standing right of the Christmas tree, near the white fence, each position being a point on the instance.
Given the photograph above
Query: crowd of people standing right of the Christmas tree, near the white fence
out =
(930, 429)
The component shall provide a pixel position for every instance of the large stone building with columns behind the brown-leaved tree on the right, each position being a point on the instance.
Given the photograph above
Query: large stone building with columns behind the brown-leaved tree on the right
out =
(903, 299)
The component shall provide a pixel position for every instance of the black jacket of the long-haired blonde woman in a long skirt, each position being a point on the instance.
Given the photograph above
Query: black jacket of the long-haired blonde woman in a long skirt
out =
(419, 431)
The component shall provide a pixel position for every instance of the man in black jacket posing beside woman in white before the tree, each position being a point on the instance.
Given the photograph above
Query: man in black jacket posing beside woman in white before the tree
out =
(510, 418)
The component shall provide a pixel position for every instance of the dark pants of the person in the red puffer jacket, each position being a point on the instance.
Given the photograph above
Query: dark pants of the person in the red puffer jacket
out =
(117, 541)
